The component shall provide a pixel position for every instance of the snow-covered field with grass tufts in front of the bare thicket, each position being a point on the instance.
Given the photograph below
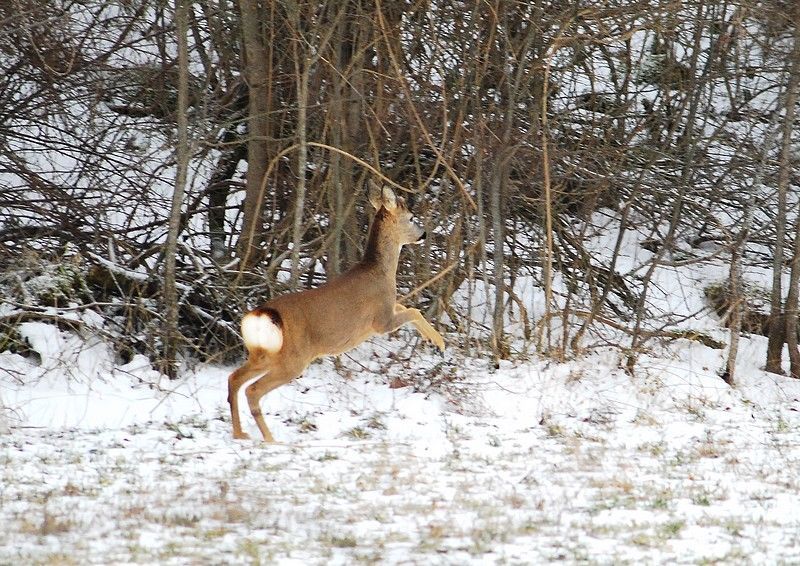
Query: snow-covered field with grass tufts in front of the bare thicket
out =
(536, 462)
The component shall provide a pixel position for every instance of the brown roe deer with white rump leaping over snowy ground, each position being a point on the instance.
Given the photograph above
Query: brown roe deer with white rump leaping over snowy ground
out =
(287, 333)
